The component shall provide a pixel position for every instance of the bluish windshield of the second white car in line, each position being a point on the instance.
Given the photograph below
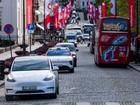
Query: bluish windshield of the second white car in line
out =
(62, 52)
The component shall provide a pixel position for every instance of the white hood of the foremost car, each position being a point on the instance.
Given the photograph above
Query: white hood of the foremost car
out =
(31, 75)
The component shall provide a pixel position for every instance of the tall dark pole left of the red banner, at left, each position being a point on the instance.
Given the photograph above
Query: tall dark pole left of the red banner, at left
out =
(24, 45)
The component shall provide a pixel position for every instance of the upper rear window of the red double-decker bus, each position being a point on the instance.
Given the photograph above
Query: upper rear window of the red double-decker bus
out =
(118, 25)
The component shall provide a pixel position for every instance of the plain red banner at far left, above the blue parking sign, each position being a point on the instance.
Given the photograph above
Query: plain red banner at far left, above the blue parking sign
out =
(29, 14)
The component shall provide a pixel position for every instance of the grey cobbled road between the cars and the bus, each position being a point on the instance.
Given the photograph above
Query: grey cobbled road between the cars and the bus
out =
(90, 85)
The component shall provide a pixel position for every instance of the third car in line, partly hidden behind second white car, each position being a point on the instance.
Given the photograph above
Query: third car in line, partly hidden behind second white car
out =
(72, 48)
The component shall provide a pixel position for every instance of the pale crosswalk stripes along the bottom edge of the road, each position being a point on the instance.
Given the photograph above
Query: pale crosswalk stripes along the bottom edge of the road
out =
(98, 103)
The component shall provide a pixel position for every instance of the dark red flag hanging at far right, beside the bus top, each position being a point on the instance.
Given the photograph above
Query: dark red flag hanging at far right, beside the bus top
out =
(131, 4)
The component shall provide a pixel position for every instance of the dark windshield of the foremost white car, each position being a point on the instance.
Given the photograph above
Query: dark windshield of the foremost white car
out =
(28, 65)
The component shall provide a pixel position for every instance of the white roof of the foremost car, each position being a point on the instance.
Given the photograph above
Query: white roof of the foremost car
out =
(30, 57)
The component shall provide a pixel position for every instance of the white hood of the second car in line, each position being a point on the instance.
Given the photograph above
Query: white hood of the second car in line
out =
(60, 58)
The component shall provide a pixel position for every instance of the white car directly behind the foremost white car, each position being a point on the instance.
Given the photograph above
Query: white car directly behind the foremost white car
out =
(62, 58)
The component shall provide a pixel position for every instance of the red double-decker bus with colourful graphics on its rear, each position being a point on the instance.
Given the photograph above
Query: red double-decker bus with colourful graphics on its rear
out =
(112, 41)
